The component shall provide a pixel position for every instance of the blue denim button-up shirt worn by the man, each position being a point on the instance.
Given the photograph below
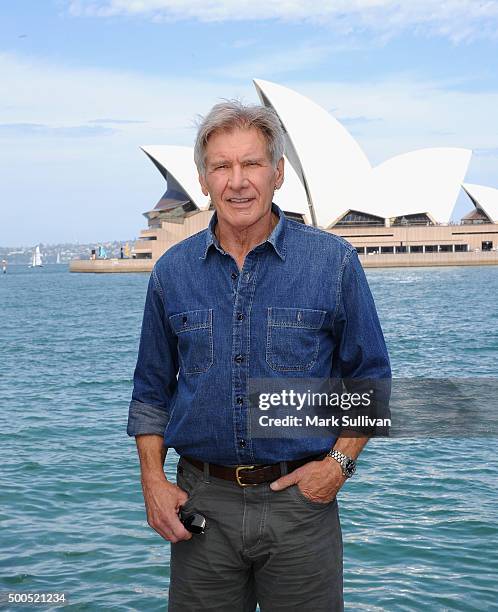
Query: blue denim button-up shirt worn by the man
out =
(300, 307)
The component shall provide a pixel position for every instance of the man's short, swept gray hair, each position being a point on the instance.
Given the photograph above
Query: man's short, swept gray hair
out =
(232, 114)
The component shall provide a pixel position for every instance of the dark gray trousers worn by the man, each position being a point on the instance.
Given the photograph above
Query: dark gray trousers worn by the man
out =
(277, 549)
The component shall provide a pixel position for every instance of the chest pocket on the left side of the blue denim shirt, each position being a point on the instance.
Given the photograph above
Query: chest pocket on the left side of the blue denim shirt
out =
(194, 329)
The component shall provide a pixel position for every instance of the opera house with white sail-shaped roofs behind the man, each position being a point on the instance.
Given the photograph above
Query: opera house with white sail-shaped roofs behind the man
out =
(395, 214)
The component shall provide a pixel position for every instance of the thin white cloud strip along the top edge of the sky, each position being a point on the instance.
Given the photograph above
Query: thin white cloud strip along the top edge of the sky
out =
(454, 19)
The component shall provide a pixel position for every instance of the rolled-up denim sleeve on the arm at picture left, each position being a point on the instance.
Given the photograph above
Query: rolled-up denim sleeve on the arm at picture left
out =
(155, 377)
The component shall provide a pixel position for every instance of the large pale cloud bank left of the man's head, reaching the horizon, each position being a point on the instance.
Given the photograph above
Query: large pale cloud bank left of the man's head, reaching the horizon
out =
(58, 185)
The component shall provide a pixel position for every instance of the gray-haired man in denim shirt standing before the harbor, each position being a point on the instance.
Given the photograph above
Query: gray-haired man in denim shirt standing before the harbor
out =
(255, 295)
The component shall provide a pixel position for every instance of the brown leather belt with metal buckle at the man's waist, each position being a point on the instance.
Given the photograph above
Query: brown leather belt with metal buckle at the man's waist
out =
(247, 475)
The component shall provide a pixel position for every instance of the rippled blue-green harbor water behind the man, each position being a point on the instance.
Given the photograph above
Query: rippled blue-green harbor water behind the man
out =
(419, 520)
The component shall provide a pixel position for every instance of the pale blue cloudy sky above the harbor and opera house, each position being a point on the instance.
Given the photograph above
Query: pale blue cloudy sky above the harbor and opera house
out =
(84, 83)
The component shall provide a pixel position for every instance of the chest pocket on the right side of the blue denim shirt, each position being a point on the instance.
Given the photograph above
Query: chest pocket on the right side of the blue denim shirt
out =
(293, 340)
